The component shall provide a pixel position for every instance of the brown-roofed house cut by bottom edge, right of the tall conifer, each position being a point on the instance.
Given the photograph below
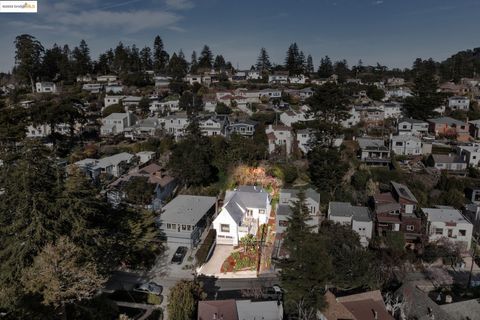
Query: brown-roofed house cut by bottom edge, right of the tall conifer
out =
(362, 306)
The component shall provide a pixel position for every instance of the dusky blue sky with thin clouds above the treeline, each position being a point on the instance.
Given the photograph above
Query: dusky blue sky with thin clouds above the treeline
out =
(392, 32)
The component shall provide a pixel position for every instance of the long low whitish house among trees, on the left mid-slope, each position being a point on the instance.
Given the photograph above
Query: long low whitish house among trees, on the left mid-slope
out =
(114, 165)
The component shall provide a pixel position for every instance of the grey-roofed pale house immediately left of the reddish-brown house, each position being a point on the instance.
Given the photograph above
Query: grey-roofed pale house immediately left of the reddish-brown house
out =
(356, 217)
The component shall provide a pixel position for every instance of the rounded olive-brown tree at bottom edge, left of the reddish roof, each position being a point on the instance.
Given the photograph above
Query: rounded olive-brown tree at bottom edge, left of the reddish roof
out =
(183, 300)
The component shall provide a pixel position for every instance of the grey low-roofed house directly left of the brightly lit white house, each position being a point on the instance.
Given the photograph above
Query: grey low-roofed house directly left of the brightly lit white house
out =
(184, 219)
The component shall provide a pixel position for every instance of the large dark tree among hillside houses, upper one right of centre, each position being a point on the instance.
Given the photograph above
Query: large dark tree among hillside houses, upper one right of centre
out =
(329, 106)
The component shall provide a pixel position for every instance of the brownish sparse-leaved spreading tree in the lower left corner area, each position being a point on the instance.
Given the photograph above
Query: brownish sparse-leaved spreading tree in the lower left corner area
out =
(61, 275)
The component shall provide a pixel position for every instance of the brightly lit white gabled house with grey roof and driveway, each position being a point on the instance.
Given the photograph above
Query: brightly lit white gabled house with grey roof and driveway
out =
(245, 209)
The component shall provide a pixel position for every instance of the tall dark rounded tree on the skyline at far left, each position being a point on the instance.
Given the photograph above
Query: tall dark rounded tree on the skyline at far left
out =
(28, 58)
